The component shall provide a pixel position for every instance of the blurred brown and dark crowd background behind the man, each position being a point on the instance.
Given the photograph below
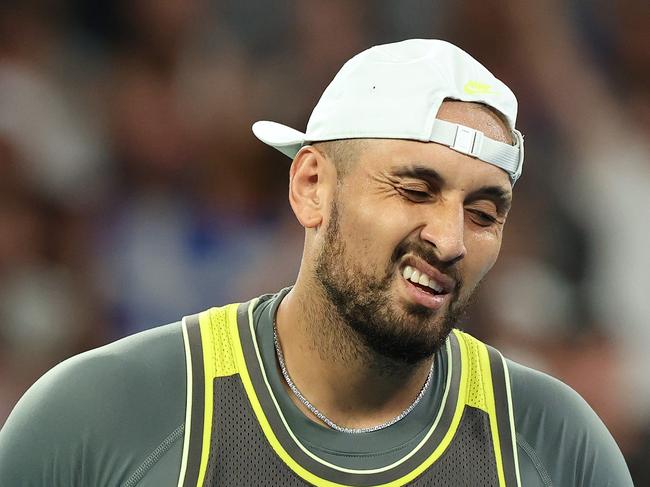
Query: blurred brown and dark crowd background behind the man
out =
(132, 191)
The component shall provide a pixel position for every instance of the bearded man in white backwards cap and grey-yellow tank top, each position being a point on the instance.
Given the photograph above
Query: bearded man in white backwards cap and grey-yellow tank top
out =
(354, 376)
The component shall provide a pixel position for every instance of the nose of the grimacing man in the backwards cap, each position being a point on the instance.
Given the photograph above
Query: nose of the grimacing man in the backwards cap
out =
(445, 229)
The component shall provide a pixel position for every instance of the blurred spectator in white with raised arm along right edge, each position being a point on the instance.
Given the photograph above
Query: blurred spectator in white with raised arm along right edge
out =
(610, 176)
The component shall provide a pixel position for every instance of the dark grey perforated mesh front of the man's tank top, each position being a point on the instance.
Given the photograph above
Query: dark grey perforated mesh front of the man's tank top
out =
(241, 456)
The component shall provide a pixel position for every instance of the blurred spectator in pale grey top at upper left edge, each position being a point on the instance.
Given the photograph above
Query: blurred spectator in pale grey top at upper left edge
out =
(60, 142)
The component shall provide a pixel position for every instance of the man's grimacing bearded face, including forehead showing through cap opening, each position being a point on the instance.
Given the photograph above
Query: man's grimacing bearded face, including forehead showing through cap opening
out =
(408, 209)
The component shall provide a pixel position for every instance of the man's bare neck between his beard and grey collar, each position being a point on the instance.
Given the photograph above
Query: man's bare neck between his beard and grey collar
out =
(332, 367)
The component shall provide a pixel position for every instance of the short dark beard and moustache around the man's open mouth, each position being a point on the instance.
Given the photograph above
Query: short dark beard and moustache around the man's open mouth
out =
(404, 333)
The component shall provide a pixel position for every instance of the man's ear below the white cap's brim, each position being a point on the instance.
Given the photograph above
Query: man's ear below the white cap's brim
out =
(311, 182)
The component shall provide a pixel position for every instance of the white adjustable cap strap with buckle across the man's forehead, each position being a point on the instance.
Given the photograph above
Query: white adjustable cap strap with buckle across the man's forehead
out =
(474, 143)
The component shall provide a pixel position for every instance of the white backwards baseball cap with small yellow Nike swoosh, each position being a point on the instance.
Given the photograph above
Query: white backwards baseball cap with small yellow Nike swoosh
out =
(394, 91)
